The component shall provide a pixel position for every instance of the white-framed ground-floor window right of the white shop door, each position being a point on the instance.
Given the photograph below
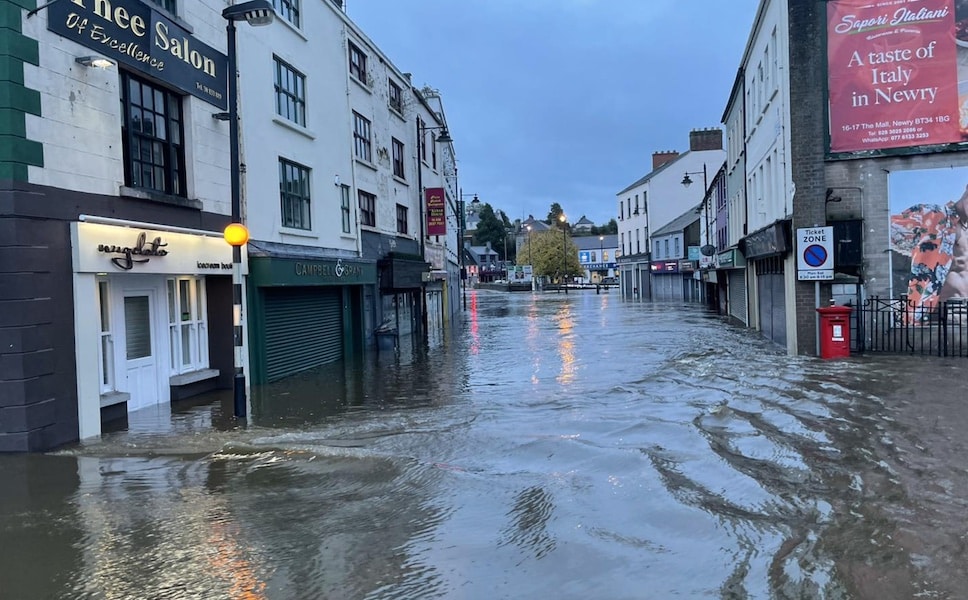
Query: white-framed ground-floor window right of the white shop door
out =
(187, 324)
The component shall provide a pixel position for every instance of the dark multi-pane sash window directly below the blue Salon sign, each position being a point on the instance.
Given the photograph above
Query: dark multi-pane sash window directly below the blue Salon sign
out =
(151, 130)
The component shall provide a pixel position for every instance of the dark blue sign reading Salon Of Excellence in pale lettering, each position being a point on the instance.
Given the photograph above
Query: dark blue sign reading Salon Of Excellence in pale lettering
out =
(135, 34)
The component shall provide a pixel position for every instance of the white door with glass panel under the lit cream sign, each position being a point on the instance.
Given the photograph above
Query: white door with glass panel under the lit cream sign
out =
(141, 362)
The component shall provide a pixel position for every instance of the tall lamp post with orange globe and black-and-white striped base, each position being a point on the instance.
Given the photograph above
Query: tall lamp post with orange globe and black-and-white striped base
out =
(256, 13)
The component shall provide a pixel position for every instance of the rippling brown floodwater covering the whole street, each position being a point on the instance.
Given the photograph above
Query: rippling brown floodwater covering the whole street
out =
(559, 446)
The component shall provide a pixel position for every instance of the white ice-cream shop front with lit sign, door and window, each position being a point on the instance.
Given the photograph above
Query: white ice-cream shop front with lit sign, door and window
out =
(153, 311)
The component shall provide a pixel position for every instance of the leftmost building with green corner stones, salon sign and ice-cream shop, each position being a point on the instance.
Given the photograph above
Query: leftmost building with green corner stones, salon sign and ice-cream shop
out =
(117, 187)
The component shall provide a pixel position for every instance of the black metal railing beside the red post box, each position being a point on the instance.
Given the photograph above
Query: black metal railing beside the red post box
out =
(900, 326)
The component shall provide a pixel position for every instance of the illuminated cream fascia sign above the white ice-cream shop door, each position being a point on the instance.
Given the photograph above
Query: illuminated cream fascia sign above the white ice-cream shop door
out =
(100, 248)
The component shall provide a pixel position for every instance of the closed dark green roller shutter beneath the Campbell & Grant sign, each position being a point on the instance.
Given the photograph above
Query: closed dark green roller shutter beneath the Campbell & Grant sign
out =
(304, 329)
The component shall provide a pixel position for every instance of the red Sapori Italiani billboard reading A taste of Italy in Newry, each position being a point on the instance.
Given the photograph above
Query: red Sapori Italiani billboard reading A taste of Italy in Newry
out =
(896, 74)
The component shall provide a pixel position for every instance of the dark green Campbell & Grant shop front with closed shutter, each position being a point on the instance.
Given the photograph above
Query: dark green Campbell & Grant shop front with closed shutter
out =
(305, 312)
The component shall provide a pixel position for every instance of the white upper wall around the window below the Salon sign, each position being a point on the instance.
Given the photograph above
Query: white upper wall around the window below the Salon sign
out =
(80, 126)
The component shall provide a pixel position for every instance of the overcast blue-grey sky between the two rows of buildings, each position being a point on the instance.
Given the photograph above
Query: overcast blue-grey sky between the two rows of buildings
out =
(564, 100)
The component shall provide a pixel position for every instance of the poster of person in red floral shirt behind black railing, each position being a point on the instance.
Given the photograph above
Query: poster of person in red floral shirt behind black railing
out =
(929, 237)
